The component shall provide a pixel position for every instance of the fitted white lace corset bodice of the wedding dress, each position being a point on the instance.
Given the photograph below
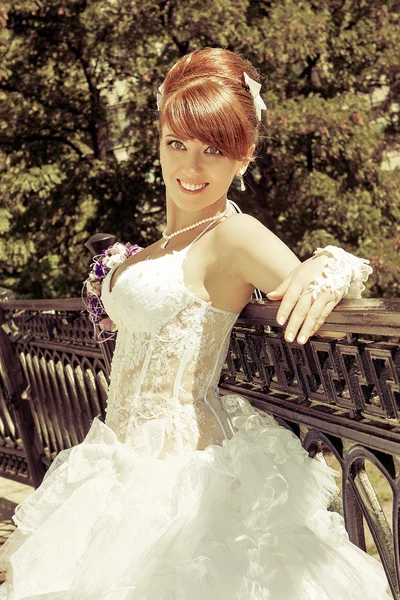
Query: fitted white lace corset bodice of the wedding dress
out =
(169, 353)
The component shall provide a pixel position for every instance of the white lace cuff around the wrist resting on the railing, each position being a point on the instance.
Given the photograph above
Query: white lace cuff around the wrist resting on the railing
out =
(344, 272)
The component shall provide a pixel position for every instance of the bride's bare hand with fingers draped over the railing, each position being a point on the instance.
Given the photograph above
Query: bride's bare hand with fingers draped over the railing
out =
(305, 312)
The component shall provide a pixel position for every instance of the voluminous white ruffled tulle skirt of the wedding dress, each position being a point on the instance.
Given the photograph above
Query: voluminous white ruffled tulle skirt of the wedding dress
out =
(246, 520)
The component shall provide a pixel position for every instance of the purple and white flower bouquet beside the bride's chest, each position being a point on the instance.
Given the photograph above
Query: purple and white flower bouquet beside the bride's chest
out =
(100, 267)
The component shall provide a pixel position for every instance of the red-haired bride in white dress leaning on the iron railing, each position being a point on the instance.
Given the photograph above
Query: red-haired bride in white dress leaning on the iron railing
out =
(181, 494)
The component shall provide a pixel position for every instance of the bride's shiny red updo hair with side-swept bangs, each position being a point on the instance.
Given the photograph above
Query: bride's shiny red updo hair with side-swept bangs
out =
(205, 98)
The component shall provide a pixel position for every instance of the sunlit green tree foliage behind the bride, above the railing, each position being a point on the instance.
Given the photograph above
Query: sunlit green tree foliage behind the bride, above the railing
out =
(78, 80)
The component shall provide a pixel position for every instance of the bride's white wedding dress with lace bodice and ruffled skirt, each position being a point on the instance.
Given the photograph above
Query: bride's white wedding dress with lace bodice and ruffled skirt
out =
(181, 494)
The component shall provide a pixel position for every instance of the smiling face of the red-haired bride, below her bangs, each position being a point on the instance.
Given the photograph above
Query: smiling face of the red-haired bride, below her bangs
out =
(195, 175)
